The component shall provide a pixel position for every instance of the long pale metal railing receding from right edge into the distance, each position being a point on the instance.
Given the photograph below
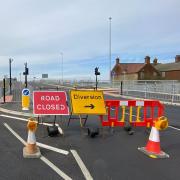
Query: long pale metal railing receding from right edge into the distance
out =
(165, 90)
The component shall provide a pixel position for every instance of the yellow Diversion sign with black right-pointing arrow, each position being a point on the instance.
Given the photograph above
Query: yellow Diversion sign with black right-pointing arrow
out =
(87, 102)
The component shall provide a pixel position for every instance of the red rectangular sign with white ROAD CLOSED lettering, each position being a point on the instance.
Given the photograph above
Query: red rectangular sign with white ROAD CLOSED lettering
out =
(50, 103)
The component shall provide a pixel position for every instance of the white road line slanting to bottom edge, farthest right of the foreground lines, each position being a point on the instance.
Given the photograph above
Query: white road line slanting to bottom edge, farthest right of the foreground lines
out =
(82, 166)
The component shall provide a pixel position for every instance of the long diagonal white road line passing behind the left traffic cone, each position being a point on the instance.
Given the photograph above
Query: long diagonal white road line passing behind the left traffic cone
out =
(44, 159)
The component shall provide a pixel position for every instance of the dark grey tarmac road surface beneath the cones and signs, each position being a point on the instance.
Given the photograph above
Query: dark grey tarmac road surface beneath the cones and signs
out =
(109, 156)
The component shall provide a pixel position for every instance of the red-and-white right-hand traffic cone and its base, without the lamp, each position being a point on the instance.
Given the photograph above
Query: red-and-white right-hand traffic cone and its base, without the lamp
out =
(153, 148)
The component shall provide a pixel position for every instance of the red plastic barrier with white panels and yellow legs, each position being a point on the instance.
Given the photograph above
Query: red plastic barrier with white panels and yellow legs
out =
(140, 107)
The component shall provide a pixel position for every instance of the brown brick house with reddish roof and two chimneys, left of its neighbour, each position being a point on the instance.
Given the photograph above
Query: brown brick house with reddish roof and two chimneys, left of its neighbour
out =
(135, 71)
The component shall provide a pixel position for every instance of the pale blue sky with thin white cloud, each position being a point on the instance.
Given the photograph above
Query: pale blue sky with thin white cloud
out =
(38, 31)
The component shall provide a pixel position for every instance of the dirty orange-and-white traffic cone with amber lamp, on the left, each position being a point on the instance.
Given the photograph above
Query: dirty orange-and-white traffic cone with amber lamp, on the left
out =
(31, 150)
